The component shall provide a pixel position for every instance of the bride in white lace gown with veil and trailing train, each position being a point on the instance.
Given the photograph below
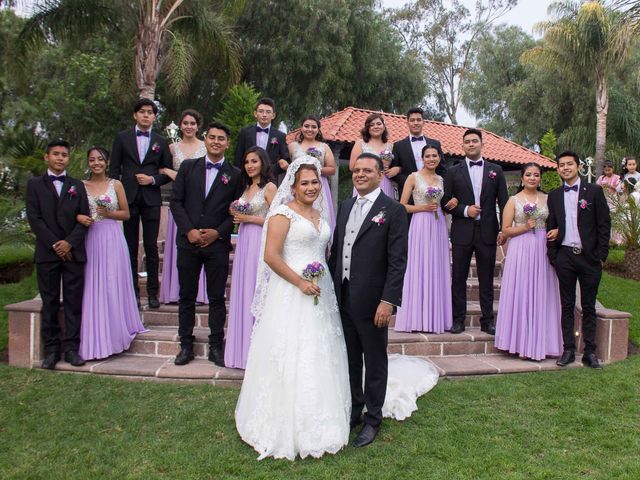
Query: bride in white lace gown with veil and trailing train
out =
(295, 397)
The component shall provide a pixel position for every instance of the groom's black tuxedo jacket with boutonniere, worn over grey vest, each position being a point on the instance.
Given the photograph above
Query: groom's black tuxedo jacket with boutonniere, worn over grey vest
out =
(378, 256)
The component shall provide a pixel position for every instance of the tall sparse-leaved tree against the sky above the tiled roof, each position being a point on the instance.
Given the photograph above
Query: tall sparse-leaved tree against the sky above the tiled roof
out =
(444, 36)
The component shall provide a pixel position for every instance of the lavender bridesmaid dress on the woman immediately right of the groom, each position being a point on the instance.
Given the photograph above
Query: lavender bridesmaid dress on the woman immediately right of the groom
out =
(426, 294)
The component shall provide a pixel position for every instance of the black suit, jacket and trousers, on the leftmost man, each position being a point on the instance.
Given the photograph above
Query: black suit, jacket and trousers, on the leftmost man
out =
(52, 218)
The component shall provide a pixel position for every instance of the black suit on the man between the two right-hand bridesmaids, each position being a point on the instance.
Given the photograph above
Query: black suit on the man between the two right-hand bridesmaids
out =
(469, 235)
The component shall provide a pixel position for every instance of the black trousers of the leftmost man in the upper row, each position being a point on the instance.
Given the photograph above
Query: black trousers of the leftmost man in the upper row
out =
(150, 216)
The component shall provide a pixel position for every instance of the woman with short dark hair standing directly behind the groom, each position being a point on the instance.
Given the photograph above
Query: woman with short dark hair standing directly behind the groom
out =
(375, 140)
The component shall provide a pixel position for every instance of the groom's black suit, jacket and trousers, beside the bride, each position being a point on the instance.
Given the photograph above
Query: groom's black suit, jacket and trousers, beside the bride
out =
(378, 263)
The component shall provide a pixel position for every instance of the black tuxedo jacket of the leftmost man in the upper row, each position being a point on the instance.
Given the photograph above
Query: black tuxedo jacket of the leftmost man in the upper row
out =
(125, 164)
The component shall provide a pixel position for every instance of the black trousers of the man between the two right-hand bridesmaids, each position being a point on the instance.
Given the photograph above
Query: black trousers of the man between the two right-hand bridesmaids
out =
(485, 263)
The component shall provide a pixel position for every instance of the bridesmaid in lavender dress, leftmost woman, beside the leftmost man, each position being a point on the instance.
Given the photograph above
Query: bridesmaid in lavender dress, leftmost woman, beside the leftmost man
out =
(110, 317)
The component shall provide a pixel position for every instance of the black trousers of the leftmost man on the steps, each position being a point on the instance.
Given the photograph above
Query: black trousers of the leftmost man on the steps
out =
(50, 276)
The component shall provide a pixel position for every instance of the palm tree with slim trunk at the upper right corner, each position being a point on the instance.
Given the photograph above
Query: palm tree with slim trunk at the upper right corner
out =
(586, 39)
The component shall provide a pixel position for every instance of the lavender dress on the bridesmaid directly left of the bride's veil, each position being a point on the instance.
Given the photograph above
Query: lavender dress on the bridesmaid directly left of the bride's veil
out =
(243, 285)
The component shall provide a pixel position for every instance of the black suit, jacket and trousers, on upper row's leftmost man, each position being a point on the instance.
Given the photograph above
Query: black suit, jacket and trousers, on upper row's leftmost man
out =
(144, 201)
